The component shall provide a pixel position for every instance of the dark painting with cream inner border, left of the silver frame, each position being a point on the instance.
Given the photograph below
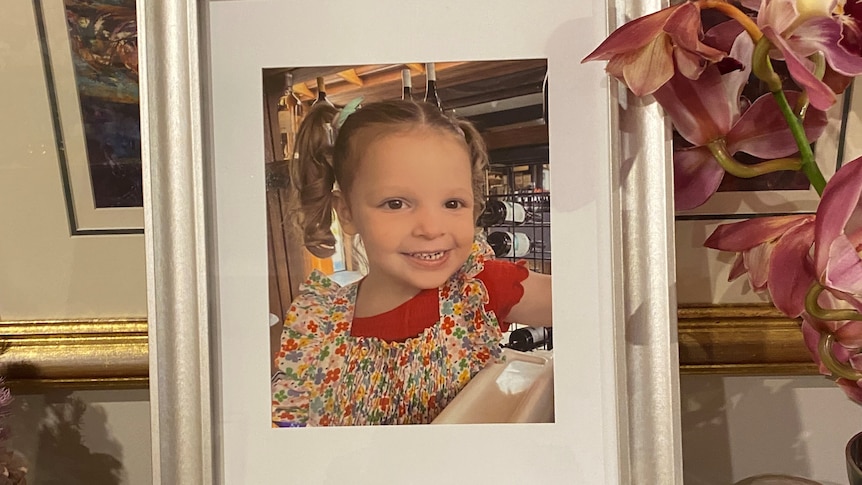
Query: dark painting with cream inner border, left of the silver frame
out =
(90, 57)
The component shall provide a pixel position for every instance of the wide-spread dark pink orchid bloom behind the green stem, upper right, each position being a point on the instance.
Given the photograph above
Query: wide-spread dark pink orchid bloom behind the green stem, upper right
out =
(710, 108)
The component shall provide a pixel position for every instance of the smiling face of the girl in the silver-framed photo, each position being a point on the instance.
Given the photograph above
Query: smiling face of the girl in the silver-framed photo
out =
(411, 201)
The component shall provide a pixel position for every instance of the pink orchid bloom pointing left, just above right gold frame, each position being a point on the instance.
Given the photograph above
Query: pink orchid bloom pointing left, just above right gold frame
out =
(774, 252)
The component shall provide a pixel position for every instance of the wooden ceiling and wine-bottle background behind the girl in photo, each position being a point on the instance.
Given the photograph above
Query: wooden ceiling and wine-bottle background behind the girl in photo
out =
(503, 99)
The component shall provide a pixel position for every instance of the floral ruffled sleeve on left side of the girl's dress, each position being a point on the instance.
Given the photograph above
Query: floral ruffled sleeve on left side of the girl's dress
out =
(307, 320)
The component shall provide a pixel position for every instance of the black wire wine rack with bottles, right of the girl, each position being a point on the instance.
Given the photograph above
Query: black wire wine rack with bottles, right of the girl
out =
(517, 223)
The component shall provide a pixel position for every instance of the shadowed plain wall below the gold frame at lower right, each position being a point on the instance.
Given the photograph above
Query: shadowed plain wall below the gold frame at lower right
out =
(736, 427)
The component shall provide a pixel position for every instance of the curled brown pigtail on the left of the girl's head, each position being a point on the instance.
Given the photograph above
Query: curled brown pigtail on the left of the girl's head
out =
(311, 182)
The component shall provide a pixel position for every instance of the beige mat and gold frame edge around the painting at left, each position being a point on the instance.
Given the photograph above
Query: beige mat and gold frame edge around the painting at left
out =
(72, 309)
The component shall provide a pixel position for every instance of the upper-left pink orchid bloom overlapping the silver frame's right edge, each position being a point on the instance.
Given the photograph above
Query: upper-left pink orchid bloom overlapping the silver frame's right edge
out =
(642, 52)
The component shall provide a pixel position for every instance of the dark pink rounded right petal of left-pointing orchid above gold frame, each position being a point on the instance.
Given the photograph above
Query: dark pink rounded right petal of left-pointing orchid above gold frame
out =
(790, 275)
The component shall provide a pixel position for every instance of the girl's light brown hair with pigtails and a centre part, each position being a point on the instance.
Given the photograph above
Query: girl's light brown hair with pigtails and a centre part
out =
(327, 154)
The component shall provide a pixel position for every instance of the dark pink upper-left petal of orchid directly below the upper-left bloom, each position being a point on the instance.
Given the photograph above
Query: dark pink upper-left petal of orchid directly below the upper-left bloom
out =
(699, 109)
